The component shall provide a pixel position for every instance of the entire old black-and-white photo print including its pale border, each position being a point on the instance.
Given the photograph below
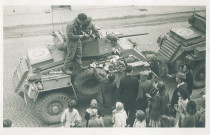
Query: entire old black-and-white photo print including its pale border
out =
(104, 66)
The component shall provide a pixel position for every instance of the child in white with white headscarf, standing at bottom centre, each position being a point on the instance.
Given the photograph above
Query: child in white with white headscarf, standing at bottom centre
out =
(119, 116)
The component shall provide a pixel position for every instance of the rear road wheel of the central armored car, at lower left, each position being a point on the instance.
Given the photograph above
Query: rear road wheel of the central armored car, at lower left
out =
(50, 107)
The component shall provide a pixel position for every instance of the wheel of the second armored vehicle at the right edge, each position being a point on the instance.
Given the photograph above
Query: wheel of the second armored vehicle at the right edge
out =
(199, 75)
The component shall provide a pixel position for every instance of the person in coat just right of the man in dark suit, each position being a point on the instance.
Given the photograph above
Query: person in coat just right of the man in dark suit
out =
(145, 86)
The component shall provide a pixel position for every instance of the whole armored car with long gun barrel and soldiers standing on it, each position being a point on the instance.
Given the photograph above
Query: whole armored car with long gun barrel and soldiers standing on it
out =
(57, 86)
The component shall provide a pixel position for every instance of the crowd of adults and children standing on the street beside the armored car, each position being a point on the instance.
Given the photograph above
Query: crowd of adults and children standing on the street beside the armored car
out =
(140, 102)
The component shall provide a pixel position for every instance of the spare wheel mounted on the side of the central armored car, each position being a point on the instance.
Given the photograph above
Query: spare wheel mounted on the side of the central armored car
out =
(86, 83)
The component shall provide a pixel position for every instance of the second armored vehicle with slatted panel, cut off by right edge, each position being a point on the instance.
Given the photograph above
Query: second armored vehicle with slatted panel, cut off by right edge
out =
(187, 45)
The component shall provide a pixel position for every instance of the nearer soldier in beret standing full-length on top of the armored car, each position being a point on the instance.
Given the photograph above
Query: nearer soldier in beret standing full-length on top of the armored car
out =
(74, 46)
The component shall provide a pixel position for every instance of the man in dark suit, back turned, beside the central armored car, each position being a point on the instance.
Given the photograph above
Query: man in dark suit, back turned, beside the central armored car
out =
(128, 90)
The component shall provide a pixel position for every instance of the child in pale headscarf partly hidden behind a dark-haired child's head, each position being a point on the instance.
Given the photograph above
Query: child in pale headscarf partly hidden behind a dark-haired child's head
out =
(93, 105)
